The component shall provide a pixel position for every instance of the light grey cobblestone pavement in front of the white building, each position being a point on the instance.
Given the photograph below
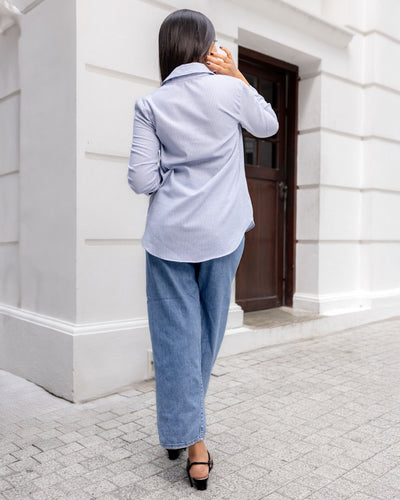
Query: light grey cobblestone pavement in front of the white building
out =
(315, 419)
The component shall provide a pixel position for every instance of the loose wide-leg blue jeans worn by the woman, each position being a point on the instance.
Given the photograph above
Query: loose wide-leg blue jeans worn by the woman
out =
(187, 305)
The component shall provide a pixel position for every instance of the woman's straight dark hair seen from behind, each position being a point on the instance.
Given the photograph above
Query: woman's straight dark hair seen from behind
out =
(185, 36)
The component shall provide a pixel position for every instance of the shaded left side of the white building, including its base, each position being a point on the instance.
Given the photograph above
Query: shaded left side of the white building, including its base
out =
(38, 193)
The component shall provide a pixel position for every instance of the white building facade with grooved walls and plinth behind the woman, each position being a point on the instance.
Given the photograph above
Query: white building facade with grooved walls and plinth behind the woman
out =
(73, 315)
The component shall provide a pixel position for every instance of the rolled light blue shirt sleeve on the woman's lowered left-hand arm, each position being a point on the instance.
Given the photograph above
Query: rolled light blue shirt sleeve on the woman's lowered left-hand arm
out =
(143, 168)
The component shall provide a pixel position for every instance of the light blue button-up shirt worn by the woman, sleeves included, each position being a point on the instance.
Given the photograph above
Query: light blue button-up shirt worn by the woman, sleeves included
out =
(187, 154)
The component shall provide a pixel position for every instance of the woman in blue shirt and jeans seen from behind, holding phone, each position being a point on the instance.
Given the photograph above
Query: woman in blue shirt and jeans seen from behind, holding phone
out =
(187, 155)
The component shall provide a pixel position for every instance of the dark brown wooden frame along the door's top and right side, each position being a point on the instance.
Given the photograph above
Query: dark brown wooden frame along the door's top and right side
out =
(292, 78)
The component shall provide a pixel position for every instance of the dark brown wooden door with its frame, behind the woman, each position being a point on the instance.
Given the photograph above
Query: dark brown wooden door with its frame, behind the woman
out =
(265, 277)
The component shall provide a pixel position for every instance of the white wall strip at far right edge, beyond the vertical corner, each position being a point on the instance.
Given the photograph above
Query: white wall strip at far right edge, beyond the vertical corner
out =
(381, 195)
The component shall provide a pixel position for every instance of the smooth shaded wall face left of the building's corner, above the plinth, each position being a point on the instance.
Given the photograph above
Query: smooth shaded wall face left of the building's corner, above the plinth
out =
(48, 159)
